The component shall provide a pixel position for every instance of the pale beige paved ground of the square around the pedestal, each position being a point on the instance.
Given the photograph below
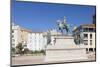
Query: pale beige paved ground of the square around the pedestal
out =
(27, 60)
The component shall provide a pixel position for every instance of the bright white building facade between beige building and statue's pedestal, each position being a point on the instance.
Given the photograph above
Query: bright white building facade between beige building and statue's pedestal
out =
(36, 41)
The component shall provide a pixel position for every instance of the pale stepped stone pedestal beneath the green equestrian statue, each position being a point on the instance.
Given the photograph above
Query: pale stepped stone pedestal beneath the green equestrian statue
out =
(65, 49)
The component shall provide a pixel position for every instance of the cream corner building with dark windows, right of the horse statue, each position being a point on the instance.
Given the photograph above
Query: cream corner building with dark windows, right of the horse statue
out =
(86, 35)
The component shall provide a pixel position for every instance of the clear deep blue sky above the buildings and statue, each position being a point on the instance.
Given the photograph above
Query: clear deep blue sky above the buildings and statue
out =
(43, 16)
